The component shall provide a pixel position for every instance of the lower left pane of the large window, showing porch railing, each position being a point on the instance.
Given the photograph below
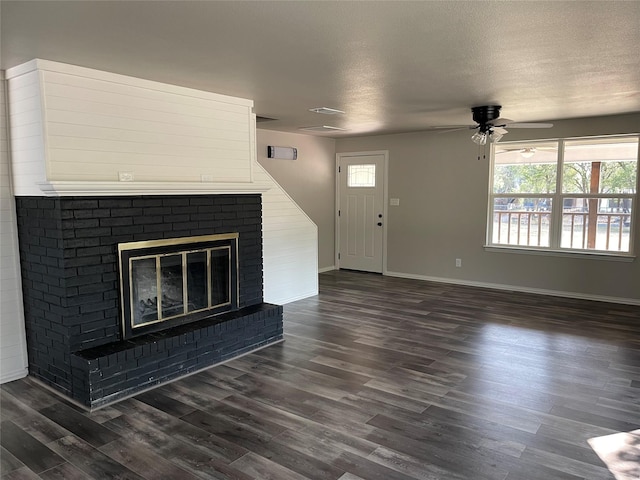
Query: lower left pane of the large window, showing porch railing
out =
(521, 221)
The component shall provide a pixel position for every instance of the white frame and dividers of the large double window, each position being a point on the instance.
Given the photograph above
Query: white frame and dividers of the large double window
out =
(557, 210)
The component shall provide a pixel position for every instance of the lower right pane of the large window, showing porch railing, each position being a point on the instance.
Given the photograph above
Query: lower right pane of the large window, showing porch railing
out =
(597, 223)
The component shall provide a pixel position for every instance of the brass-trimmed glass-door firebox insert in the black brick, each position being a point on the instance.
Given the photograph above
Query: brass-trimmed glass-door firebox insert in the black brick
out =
(169, 282)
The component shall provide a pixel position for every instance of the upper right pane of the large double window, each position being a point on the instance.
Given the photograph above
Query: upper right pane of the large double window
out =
(600, 166)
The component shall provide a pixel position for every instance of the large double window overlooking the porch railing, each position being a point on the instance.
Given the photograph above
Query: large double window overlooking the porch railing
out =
(569, 195)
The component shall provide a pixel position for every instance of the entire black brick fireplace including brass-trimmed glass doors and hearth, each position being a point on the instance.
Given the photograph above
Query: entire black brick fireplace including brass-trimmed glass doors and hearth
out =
(88, 261)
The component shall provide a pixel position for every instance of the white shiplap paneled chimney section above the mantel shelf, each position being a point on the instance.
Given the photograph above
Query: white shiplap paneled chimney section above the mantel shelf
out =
(74, 124)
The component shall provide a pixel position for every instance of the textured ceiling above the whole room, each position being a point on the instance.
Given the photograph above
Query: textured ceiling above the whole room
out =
(391, 66)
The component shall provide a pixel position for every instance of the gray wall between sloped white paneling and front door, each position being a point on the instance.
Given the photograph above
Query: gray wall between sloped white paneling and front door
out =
(309, 181)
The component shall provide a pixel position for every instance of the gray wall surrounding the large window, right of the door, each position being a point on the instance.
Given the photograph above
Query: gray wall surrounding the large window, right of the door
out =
(443, 191)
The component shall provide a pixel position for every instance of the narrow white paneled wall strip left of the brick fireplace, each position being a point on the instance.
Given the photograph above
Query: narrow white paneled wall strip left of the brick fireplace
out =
(13, 350)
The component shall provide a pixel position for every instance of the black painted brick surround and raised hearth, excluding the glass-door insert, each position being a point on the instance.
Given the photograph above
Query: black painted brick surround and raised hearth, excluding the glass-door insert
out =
(68, 248)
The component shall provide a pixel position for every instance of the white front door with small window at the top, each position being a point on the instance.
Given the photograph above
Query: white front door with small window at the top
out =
(361, 179)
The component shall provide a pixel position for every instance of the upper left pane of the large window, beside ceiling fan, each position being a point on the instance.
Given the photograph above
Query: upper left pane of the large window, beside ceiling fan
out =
(525, 168)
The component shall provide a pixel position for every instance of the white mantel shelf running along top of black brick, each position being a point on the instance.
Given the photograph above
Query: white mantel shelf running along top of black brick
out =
(71, 188)
